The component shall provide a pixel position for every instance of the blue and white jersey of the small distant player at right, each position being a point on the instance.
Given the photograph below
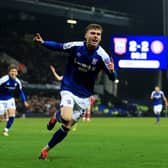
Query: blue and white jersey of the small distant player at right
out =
(157, 97)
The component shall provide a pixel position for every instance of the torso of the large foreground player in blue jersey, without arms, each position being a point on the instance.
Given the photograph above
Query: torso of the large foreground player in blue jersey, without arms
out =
(81, 72)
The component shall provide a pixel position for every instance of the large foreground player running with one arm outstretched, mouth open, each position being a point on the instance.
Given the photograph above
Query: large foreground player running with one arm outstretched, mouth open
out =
(85, 61)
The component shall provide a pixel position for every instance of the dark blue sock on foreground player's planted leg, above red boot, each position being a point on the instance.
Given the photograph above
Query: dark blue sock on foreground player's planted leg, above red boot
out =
(59, 135)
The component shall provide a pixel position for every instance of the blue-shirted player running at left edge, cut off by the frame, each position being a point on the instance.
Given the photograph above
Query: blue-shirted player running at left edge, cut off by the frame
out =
(8, 84)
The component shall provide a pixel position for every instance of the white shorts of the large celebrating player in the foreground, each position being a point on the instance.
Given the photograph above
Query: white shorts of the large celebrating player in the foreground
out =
(78, 104)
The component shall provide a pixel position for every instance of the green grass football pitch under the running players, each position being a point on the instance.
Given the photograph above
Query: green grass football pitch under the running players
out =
(100, 143)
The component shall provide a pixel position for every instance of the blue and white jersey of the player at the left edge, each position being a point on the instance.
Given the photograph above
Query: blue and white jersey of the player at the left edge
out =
(8, 86)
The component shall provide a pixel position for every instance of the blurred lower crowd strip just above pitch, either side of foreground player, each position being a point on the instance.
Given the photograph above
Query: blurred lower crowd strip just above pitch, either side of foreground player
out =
(45, 104)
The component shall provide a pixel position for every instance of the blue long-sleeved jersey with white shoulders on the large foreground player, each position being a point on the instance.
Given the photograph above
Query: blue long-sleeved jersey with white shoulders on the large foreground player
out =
(83, 66)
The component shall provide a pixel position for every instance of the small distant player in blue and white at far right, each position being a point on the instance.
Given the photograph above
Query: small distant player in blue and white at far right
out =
(157, 97)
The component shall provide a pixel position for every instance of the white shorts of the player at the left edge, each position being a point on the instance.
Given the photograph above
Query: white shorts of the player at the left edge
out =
(7, 104)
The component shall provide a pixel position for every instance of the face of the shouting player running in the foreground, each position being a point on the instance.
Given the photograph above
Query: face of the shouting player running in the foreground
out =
(93, 38)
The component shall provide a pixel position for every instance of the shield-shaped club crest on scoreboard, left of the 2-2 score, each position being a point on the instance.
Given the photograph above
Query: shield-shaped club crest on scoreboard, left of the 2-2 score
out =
(120, 45)
